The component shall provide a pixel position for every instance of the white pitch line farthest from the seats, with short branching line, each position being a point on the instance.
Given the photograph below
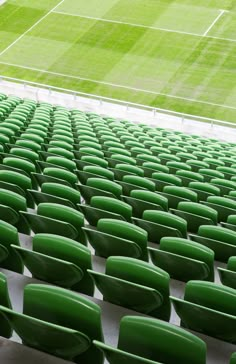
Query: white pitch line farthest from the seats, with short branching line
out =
(145, 26)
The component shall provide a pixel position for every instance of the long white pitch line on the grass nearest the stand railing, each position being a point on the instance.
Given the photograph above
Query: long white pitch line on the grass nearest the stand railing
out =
(118, 86)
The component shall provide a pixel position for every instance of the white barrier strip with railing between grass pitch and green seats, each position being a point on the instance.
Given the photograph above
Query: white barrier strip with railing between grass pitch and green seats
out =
(114, 107)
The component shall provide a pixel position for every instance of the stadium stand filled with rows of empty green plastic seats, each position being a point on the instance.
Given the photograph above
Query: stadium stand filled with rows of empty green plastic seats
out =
(100, 220)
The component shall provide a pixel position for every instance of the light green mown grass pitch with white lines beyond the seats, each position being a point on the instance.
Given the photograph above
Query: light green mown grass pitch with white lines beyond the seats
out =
(178, 55)
